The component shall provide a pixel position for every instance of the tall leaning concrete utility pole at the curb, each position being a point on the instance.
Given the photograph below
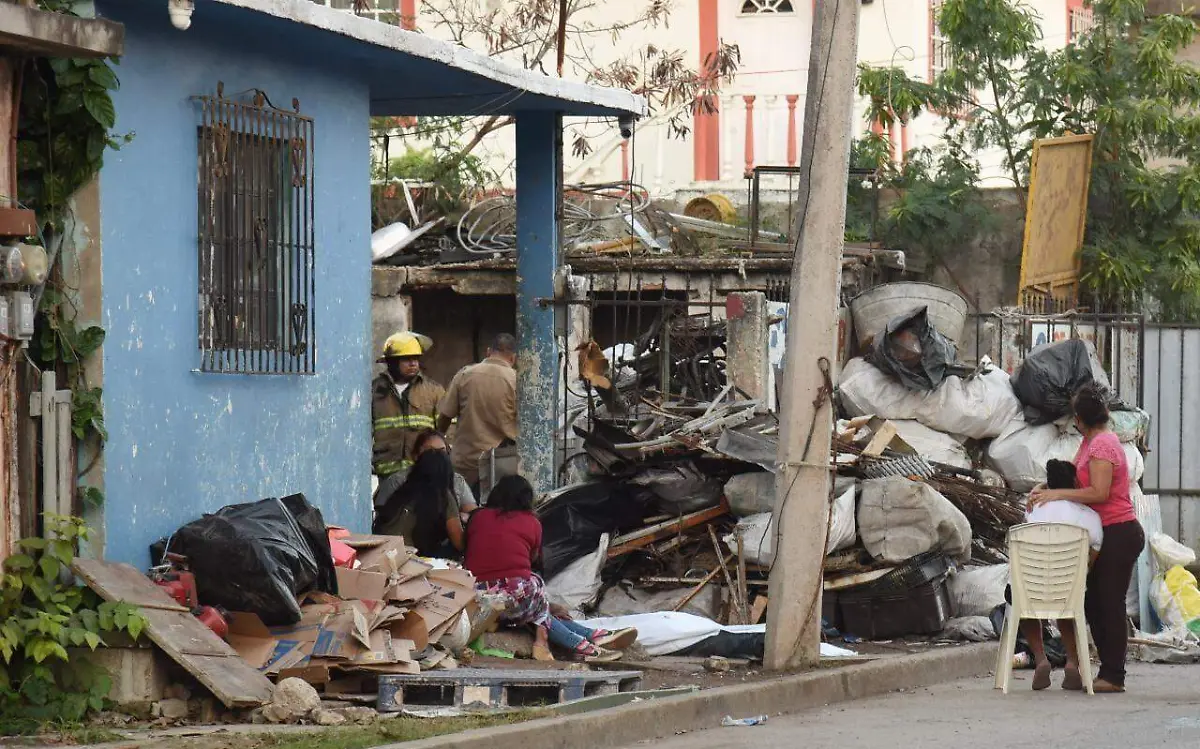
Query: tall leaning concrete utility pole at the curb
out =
(802, 486)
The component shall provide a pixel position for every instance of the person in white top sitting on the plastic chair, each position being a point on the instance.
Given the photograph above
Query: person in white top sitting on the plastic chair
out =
(1060, 475)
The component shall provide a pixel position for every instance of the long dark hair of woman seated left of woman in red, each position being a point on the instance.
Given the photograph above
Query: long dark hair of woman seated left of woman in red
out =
(427, 490)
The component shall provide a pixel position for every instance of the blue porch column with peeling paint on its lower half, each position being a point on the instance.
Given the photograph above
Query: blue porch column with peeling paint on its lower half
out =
(539, 197)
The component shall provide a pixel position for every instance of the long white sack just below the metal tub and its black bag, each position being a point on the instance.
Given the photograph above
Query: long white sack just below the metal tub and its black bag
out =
(980, 408)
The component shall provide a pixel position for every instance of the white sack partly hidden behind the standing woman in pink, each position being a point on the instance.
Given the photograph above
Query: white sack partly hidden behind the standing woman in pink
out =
(1022, 453)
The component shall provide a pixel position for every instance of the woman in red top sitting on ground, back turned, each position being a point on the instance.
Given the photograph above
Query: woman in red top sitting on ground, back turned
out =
(503, 547)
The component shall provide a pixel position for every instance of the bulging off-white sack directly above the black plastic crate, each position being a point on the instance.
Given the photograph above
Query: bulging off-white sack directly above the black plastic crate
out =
(899, 519)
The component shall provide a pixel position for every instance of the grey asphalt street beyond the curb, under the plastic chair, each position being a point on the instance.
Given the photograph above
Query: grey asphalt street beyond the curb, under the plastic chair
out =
(1161, 709)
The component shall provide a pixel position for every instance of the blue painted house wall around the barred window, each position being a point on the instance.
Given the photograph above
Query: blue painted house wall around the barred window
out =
(183, 444)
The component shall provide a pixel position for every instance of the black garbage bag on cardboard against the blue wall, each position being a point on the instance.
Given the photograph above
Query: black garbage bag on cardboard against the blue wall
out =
(257, 558)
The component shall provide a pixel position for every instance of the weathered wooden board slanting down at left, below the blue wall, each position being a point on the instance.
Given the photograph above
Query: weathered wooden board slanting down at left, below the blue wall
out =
(189, 643)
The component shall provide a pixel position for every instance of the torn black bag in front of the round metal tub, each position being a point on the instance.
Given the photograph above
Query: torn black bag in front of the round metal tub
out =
(913, 351)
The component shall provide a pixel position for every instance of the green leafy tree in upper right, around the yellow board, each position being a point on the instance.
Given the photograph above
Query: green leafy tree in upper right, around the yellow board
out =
(1123, 82)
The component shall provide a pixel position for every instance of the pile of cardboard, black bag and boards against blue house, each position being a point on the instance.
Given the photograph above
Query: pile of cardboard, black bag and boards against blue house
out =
(266, 592)
